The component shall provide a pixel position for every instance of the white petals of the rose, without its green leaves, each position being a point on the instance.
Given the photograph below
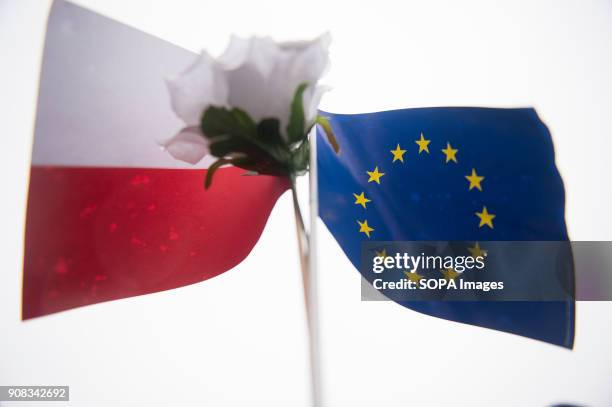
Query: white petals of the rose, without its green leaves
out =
(256, 75)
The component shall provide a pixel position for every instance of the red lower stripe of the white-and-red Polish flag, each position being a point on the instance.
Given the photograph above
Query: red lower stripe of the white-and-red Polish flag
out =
(100, 234)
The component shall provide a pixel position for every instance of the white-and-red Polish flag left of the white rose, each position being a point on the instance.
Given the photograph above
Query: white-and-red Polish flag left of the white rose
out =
(110, 214)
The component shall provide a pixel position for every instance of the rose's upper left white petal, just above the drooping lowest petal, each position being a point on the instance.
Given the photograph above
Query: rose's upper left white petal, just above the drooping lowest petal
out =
(199, 86)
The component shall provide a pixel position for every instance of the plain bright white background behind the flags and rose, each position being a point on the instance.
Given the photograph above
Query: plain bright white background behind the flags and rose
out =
(240, 339)
